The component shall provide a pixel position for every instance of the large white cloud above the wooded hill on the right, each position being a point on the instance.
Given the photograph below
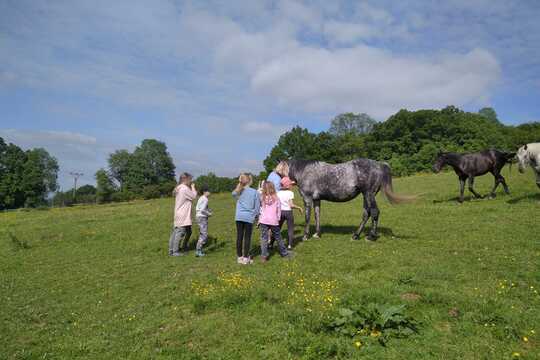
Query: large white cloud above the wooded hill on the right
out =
(374, 81)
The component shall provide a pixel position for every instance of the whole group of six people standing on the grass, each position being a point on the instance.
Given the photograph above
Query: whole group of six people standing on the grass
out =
(270, 206)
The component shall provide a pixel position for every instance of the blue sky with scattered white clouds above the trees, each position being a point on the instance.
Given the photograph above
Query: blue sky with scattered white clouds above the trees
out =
(219, 81)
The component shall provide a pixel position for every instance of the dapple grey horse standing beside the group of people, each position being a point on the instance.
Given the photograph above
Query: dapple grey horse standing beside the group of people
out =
(318, 181)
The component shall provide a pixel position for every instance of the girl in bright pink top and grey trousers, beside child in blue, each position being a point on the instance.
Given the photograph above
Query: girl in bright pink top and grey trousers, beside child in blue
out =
(269, 217)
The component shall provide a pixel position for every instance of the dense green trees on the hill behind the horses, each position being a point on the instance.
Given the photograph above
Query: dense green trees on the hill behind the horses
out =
(409, 140)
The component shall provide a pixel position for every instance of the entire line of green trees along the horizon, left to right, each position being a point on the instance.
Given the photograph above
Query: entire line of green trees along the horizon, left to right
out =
(408, 140)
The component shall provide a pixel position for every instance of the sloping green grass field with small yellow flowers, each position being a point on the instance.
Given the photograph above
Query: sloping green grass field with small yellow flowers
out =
(96, 282)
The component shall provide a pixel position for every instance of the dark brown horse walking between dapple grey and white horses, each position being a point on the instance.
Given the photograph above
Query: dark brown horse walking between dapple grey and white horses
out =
(468, 166)
